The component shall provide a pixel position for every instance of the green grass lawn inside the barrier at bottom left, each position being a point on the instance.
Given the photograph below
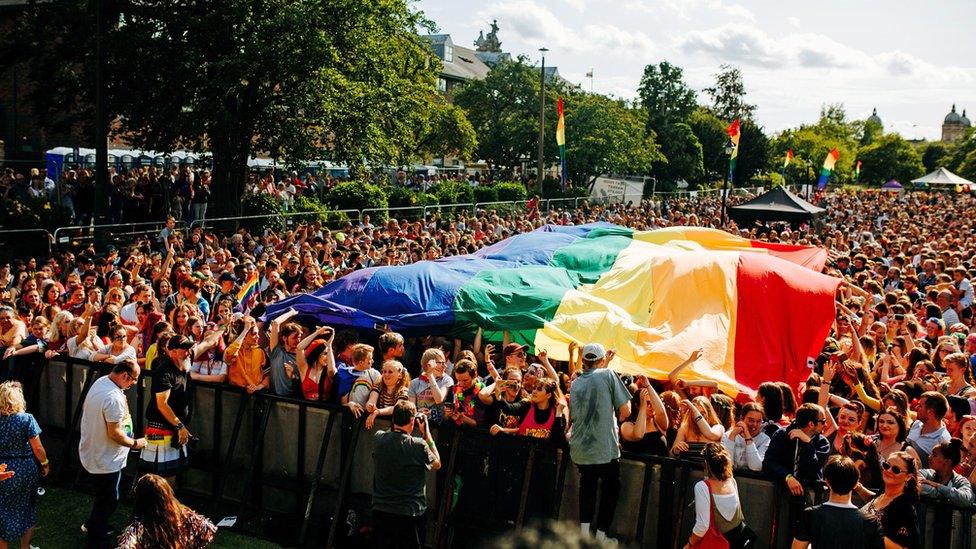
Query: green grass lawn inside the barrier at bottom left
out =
(61, 512)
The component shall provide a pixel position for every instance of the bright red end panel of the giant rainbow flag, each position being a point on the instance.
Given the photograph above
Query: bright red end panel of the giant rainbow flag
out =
(774, 337)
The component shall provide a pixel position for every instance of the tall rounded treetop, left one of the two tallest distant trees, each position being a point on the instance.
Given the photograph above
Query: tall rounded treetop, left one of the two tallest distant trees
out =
(665, 96)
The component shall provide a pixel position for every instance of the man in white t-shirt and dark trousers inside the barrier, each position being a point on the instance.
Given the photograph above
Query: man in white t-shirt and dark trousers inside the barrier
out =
(106, 438)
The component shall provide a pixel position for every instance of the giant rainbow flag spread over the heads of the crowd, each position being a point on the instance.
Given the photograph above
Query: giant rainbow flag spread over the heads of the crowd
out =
(759, 311)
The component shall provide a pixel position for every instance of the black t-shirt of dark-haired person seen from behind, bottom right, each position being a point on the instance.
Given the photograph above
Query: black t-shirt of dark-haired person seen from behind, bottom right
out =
(829, 527)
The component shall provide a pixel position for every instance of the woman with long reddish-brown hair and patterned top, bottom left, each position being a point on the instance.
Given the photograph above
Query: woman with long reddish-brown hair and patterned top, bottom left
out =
(159, 520)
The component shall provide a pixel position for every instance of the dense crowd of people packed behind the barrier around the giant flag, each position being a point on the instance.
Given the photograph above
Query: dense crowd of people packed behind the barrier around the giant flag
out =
(890, 402)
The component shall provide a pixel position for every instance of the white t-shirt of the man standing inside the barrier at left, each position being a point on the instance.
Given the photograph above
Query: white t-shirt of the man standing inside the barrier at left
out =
(105, 403)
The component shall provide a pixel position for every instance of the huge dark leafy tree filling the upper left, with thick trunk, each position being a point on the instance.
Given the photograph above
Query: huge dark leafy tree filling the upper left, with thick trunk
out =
(300, 79)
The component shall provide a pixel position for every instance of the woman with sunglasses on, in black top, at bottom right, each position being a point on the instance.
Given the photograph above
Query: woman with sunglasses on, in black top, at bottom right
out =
(894, 507)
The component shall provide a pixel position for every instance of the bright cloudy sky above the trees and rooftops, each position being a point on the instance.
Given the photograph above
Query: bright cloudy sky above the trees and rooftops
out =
(911, 60)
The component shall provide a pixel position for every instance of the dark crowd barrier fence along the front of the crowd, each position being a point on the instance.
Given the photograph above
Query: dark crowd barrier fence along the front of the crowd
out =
(272, 455)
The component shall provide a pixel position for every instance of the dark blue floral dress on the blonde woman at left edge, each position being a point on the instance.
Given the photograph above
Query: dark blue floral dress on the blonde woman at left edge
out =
(18, 510)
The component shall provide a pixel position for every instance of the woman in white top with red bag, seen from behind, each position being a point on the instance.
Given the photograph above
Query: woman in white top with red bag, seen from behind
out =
(718, 511)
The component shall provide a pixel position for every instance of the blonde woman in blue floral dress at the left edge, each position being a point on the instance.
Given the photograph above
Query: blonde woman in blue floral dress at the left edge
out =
(24, 455)
